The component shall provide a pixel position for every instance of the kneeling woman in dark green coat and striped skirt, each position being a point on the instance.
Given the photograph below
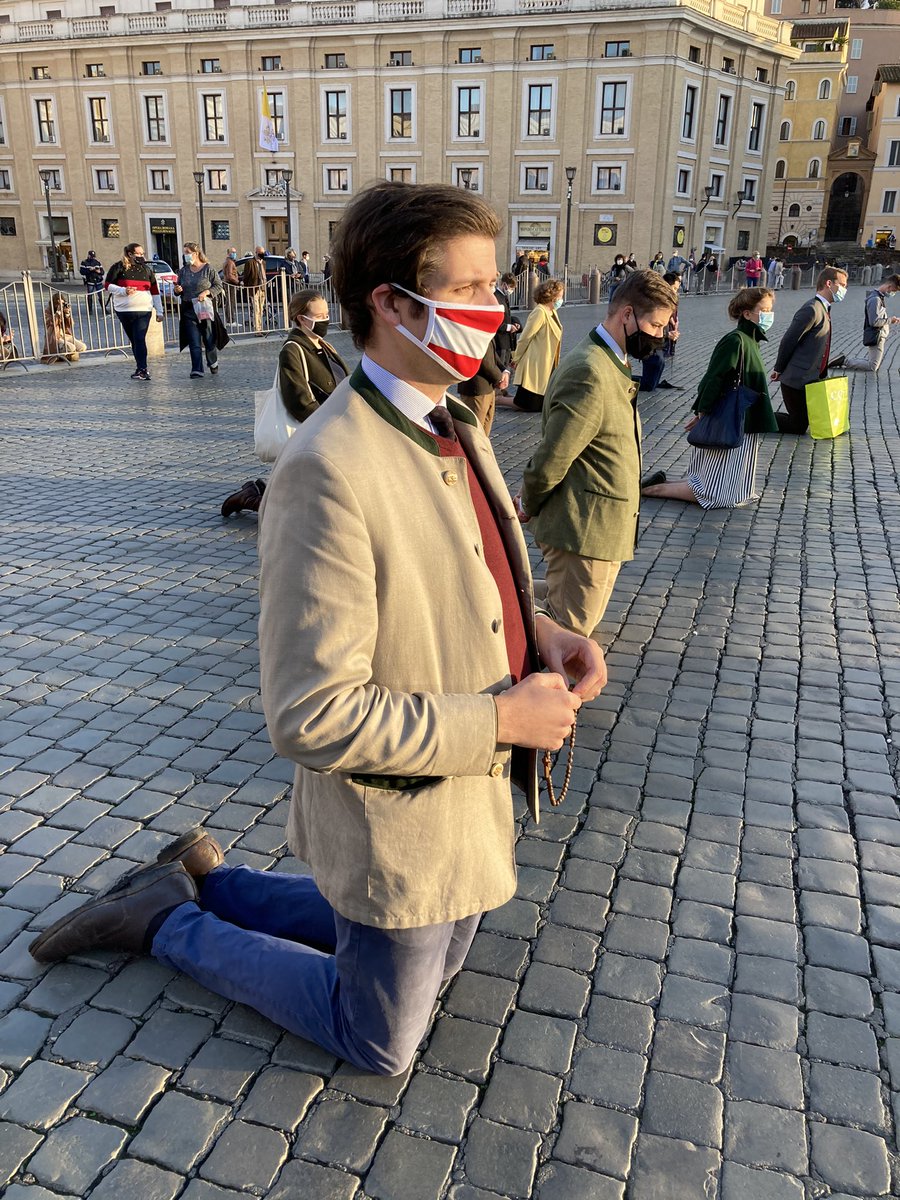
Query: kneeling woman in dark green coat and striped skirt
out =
(717, 478)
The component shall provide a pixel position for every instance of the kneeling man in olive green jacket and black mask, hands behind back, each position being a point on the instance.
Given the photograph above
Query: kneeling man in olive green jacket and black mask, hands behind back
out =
(583, 487)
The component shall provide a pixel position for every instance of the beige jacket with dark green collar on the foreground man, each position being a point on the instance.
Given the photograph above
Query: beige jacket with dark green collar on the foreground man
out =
(381, 647)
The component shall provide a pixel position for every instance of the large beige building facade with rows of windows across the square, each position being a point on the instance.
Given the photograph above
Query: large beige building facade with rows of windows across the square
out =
(663, 112)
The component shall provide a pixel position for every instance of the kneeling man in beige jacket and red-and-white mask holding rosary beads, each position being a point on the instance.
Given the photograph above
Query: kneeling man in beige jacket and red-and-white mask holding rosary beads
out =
(399, 671)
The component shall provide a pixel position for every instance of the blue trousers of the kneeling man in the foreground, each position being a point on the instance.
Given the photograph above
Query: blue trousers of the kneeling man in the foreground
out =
(274, 943)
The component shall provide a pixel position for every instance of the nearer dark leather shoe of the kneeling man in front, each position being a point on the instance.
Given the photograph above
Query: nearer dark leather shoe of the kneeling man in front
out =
(121, 920)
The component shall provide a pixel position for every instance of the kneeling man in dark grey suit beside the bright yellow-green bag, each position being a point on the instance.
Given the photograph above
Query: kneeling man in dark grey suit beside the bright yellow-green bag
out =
(803, 353)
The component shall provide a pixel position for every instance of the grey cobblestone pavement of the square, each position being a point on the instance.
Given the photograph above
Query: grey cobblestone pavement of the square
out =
(695, 993)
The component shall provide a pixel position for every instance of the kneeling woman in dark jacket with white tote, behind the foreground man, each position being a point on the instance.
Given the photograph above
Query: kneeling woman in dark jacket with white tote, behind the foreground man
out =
(309, 371)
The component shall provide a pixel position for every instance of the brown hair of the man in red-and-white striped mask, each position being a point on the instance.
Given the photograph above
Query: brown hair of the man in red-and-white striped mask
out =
(395, 233)
